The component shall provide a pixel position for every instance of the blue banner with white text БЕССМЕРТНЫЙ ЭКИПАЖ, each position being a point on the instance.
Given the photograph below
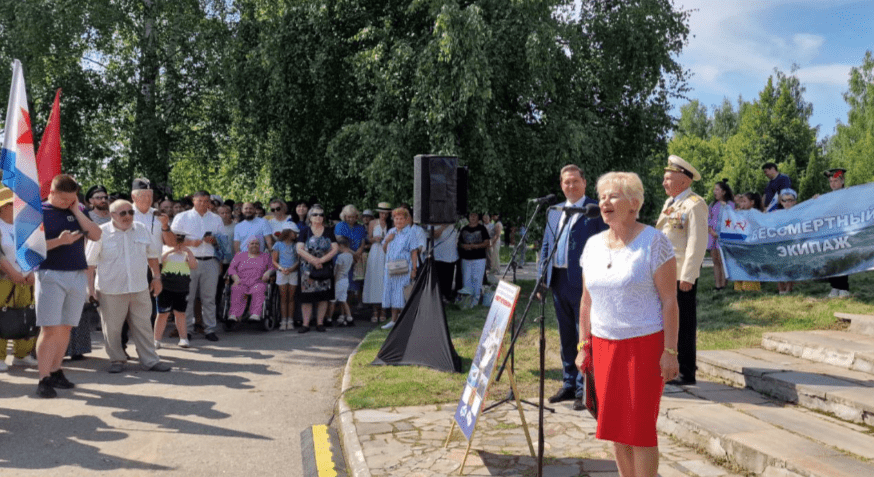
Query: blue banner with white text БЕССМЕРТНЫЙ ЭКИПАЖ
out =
(828, 236)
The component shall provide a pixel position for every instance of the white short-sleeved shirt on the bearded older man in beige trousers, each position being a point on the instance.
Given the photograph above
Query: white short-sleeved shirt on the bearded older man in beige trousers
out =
(121, 258)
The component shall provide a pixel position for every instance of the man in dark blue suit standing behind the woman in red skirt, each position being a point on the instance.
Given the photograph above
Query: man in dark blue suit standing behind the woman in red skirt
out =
(564, 275)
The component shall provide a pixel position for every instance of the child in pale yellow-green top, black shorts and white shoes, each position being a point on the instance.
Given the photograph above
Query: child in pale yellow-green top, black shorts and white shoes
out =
(176, 265)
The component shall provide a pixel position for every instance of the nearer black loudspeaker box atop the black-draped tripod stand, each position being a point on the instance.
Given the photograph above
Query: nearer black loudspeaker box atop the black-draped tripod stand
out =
(434, 189)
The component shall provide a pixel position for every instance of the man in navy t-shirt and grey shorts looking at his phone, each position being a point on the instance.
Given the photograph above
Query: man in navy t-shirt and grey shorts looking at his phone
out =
(61, 286)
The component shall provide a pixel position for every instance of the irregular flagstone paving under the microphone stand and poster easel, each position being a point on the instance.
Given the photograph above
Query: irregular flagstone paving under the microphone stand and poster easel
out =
(409, 441)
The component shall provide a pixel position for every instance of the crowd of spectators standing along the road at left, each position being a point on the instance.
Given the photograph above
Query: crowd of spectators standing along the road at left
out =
(142, 260)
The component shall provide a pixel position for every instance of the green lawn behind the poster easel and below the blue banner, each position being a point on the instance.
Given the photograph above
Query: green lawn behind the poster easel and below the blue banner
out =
(726, 320)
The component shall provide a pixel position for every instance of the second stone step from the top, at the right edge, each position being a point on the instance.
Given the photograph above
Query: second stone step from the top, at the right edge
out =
(837, 348)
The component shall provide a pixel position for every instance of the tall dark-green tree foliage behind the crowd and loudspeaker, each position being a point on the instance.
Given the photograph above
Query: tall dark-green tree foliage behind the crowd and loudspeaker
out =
(304, 98)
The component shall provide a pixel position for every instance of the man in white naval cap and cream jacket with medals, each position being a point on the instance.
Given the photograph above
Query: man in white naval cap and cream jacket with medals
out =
(684, 221)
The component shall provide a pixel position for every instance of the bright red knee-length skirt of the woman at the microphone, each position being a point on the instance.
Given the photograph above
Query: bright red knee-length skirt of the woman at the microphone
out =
(629, 385)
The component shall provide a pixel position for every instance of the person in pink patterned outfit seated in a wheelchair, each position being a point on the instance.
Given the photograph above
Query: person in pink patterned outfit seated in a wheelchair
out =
(249, 271)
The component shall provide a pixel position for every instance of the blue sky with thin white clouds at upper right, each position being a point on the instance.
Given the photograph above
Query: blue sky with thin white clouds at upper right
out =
(734, 45)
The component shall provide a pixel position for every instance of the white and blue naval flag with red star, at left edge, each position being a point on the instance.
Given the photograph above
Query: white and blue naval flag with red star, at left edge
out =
(19, 174)
